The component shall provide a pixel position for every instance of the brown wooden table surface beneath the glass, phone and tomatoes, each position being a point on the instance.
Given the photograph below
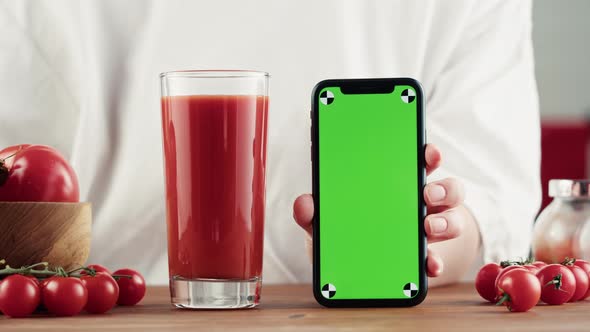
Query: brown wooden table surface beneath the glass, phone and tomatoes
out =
(292, 308)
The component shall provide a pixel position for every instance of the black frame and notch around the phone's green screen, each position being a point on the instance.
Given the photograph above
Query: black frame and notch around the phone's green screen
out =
(371, 84)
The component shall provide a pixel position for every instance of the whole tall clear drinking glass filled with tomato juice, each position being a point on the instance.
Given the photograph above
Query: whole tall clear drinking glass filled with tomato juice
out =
(214, 132)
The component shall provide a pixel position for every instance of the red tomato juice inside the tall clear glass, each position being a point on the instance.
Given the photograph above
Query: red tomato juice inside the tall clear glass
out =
(215, 161)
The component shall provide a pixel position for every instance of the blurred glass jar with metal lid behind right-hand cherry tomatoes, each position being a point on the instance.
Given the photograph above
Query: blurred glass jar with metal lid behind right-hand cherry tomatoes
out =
(562, 228)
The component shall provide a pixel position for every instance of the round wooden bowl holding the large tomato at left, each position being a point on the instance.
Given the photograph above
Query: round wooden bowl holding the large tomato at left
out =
(33, 232)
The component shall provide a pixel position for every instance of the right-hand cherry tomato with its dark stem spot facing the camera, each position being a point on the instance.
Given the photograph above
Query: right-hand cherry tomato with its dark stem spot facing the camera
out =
(558, 284)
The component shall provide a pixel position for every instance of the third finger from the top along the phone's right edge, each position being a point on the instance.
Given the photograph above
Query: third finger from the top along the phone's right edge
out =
(445, 225)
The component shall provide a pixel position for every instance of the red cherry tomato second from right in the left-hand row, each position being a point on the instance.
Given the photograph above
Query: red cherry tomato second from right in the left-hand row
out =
(103, 292)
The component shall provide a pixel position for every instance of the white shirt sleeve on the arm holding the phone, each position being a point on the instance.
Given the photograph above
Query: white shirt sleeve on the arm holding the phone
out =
(482, 112)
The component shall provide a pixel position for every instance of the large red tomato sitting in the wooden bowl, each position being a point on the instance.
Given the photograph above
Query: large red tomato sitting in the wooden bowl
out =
(36, 173)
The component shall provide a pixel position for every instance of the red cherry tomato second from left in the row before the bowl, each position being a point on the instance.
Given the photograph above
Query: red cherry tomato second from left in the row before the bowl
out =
(64, 296)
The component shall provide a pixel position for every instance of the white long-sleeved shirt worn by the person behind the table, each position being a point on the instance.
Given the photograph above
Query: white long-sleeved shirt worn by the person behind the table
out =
(83, 77)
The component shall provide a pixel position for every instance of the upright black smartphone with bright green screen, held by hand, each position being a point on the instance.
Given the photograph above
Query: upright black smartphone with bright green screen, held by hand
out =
(368, 165)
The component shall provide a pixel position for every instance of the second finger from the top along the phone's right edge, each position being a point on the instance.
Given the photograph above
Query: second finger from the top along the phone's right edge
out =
(448, 192)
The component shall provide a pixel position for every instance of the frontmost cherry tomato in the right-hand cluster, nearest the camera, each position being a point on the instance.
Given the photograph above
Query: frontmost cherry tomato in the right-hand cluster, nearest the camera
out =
(519, 290)
